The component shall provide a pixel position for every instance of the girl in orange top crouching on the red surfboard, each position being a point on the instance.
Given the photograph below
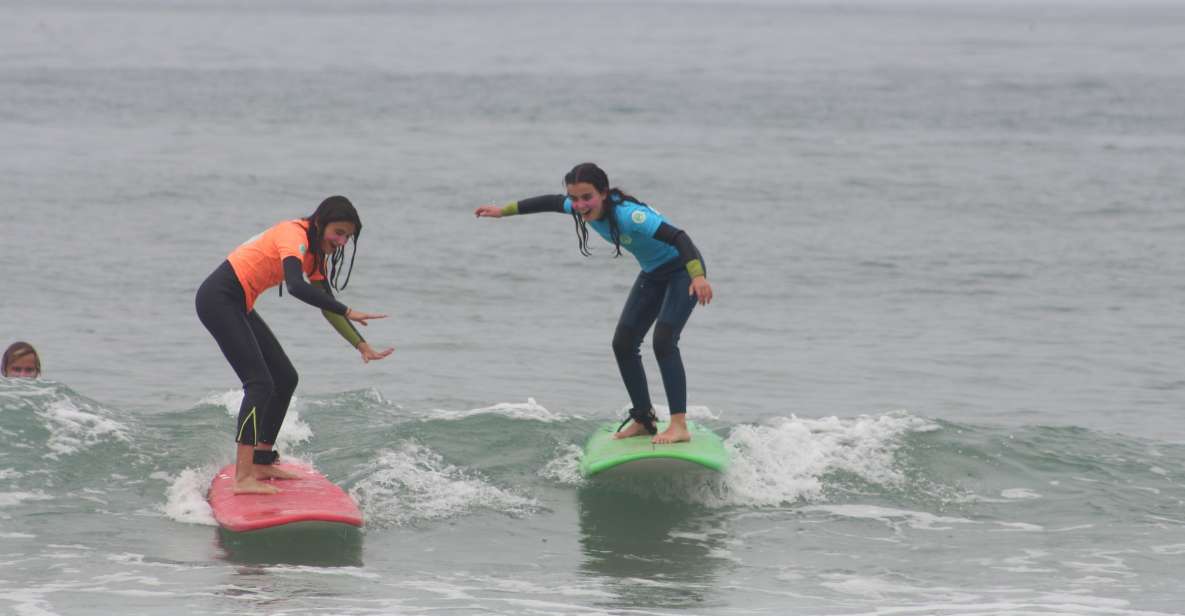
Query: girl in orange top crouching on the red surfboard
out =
(226, 305)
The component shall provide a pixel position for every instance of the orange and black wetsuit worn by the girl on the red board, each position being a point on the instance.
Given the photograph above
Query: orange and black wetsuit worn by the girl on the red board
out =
(226, 305)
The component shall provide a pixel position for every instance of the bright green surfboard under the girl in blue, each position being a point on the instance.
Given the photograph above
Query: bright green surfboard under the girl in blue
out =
(604, 453)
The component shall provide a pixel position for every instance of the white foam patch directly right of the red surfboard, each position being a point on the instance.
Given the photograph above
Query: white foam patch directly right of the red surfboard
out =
(415, 484)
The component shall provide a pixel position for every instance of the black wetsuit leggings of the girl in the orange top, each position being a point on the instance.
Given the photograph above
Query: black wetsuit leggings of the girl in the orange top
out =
(268, 376)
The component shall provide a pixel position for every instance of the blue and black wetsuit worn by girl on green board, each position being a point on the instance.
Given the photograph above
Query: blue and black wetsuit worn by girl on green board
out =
(670, 261)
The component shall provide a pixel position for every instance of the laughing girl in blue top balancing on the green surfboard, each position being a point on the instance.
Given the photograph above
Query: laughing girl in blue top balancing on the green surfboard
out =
(671, 283)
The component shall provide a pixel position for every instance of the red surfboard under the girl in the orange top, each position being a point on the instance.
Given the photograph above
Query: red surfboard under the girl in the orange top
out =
(309, 499)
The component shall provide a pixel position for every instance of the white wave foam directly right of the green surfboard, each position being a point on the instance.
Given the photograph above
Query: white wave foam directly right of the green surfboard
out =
(784, 461)
